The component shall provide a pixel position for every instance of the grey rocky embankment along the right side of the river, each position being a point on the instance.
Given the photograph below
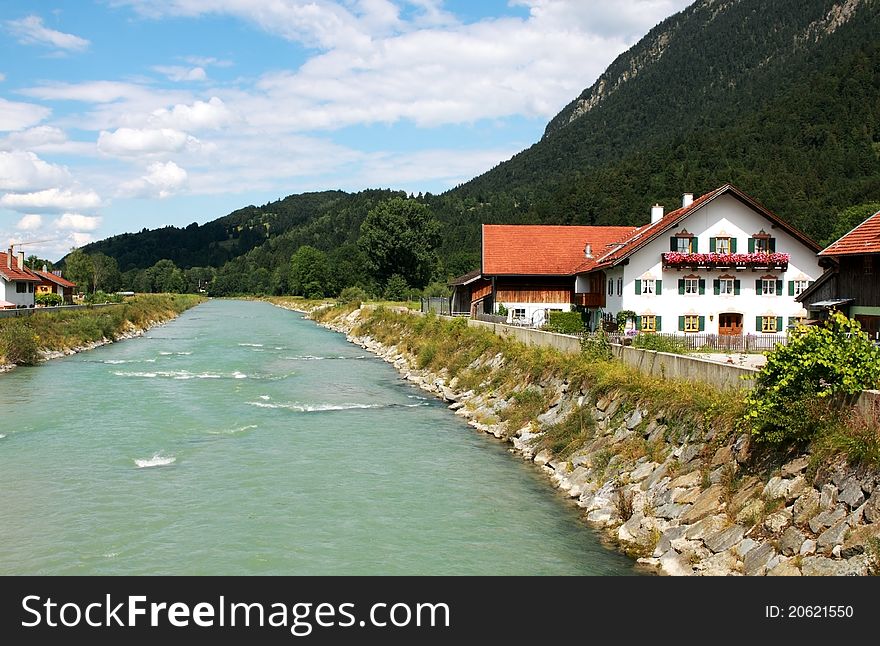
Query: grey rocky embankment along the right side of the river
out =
(689, 507)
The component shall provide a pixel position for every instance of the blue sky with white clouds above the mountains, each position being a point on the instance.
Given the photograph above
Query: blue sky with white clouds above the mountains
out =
(121, 114)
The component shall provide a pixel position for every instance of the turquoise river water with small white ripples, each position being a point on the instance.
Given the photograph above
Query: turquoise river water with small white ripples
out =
(242, 439)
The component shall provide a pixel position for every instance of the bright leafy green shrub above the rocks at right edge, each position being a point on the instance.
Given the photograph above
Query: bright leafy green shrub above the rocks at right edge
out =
(804, 382)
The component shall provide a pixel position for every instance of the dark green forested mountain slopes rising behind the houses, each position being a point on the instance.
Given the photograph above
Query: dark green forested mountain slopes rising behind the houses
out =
(779, 98)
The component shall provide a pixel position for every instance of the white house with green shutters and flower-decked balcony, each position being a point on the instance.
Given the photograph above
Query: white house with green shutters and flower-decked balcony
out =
(720, 264)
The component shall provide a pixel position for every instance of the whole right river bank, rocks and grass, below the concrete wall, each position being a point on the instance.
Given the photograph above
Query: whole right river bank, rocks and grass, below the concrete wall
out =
(679, 494)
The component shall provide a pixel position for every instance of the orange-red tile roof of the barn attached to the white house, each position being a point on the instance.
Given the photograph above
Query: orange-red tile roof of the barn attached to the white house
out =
(538, 250)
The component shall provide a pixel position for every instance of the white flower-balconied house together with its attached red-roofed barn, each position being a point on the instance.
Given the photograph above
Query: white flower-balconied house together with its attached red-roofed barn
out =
(720, 264)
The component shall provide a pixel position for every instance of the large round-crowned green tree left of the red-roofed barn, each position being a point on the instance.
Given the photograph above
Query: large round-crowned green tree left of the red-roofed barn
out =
(400, 236)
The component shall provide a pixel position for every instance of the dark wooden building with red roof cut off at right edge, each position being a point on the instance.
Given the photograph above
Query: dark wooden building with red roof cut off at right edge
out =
(850, 283)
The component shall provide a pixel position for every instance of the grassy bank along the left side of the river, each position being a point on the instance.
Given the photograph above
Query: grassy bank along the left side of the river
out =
(22, 339)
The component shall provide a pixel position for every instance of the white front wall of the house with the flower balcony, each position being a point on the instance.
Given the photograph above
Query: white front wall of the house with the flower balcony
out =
(728, 216)
